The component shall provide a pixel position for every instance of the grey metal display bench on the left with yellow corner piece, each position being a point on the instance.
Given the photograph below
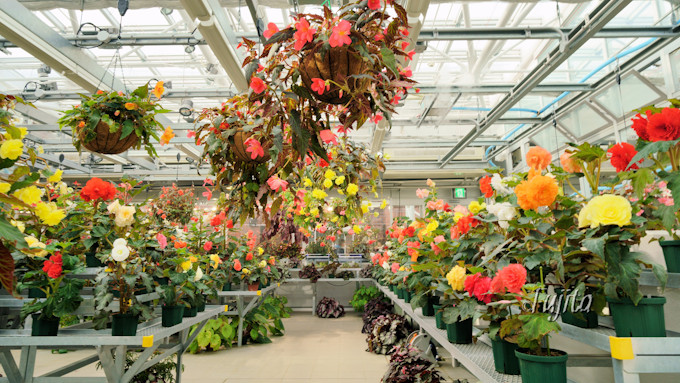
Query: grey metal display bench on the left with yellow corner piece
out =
(109, 350)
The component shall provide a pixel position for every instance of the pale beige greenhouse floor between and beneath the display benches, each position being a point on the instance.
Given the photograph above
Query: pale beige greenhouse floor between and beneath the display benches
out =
(313, 350)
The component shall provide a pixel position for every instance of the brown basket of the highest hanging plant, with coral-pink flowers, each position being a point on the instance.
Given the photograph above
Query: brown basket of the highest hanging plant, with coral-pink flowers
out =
(337, 65)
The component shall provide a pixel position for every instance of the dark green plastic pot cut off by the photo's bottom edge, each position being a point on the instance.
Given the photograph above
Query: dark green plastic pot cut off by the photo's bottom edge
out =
(541, 369)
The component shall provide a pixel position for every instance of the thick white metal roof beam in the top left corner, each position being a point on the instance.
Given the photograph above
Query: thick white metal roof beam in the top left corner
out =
(26, 30)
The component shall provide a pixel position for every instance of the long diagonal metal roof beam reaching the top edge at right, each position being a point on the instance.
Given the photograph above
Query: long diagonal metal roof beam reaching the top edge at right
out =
(595, 21)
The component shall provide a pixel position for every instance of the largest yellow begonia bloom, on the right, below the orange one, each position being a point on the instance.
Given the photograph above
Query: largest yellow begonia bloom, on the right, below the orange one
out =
(605, 210)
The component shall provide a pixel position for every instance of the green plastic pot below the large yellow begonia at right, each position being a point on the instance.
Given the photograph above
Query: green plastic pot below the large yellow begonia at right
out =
(644, 320)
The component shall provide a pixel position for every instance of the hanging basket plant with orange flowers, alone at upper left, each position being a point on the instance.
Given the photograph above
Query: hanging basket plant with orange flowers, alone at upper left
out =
(113, 122)
